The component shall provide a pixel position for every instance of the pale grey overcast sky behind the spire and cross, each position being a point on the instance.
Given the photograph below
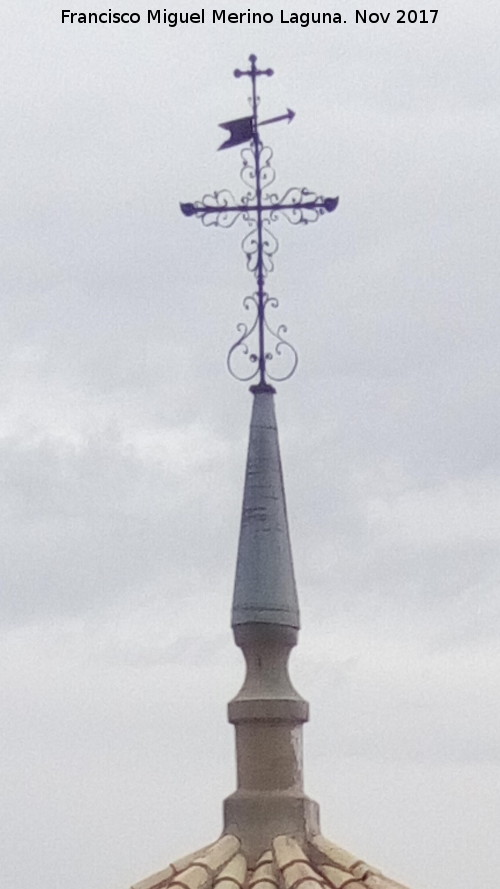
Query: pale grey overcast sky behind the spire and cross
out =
(123, 438)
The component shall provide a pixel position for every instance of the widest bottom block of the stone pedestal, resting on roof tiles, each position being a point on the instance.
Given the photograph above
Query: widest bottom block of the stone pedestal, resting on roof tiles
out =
(256, 818)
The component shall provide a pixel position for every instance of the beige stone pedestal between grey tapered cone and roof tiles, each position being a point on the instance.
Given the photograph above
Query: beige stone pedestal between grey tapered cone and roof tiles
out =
(268, 715)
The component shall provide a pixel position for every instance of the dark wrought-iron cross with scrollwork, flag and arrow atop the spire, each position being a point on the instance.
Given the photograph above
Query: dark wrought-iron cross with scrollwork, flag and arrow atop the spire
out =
(259, 208)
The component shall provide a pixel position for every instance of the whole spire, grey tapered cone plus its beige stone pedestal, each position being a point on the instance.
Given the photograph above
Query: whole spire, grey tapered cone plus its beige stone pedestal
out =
(267, 713)
